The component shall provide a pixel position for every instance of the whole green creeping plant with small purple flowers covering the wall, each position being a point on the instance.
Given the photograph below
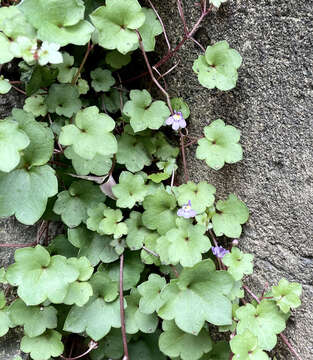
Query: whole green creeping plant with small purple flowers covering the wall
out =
(139, 271)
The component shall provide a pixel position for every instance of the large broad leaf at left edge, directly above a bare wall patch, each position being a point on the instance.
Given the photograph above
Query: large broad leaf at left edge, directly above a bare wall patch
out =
(24, 193)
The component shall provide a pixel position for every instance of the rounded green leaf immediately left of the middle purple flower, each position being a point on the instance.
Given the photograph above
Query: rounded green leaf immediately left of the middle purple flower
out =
(159, 212)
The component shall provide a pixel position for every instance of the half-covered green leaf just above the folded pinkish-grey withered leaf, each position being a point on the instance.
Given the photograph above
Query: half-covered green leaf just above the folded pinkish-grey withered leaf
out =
(100, 165)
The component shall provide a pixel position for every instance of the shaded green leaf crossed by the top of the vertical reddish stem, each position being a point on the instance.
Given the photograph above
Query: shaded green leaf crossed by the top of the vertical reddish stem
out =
(132, 270)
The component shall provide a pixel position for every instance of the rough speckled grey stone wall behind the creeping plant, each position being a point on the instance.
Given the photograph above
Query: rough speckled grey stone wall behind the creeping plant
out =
(272, 105)
